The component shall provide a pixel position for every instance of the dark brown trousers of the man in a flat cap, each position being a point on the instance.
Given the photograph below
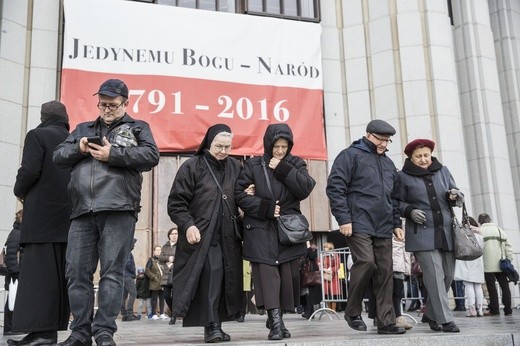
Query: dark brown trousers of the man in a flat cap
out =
(372, 258)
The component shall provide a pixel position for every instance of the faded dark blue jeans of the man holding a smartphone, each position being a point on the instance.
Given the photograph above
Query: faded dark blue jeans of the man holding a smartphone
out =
(106, 237)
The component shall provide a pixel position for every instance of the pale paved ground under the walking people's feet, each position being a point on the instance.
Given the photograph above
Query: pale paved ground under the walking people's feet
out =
(329, 330)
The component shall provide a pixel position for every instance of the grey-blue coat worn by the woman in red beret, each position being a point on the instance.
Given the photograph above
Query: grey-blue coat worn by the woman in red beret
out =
(426, 189)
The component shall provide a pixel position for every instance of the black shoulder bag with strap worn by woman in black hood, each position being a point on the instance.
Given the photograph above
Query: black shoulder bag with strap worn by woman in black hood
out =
(292, 228)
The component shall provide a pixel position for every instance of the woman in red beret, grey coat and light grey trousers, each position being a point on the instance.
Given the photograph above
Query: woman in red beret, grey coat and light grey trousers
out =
(426, 195)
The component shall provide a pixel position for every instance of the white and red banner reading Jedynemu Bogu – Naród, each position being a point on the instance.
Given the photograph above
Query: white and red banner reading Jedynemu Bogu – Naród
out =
(188, 69)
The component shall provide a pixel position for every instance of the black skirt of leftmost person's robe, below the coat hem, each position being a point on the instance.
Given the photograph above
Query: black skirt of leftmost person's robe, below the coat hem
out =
(42, 302)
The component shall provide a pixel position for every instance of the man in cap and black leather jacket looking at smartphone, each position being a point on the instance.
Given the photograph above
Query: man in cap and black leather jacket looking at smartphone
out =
(107, 157)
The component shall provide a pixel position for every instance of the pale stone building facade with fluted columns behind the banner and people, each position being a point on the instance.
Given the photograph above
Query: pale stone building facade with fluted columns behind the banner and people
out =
(447, 70)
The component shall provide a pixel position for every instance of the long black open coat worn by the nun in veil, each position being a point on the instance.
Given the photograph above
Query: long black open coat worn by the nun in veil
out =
(196, 200)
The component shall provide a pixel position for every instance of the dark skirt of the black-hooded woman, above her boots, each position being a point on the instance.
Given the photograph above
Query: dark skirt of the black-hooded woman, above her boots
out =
(277, 286)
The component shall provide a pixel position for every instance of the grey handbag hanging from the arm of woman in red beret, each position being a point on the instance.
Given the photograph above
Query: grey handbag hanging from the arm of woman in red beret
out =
(465, 244)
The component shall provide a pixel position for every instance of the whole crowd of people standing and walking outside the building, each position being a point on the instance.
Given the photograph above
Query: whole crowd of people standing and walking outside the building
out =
(226, 215)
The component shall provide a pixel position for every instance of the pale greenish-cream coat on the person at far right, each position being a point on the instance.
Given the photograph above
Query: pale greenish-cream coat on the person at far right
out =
(496, 247)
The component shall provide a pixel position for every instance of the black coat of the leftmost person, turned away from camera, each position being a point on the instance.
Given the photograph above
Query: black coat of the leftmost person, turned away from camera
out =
(43, 186)
